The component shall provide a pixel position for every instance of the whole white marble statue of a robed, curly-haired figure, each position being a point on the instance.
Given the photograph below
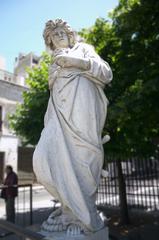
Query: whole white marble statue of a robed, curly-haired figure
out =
(68, 158)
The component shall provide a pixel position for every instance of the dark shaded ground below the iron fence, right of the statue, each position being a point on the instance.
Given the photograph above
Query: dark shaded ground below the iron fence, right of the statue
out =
(143, 225)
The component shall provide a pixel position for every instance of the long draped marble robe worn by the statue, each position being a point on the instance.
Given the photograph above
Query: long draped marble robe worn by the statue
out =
(69, 156)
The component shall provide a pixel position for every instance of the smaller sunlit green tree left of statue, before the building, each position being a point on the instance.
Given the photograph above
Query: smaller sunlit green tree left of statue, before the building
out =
(27, 121)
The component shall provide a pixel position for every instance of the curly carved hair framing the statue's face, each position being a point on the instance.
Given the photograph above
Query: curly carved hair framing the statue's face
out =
(49, 28)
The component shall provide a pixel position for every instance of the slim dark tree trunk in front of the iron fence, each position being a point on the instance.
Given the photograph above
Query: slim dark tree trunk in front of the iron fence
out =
(124, 215)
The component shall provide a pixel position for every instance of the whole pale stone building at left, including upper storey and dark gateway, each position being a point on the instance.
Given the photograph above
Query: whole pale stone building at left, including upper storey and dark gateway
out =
(11, 88)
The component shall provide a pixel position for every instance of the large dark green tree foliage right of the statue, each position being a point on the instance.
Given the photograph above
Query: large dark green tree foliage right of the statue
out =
(129, 44)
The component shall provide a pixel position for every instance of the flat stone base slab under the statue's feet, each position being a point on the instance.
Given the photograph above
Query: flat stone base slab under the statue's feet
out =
(100, 235)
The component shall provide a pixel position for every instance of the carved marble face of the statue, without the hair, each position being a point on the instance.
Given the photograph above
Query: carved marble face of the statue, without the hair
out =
(60, 38)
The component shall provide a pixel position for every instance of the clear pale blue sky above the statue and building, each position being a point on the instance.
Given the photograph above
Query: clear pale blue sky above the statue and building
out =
(22, 22)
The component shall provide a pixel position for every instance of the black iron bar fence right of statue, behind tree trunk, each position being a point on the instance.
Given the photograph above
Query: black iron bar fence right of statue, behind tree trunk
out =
(142, 183)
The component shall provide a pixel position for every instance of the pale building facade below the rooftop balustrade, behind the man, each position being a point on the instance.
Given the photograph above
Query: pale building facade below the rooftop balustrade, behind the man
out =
(10, 95)
